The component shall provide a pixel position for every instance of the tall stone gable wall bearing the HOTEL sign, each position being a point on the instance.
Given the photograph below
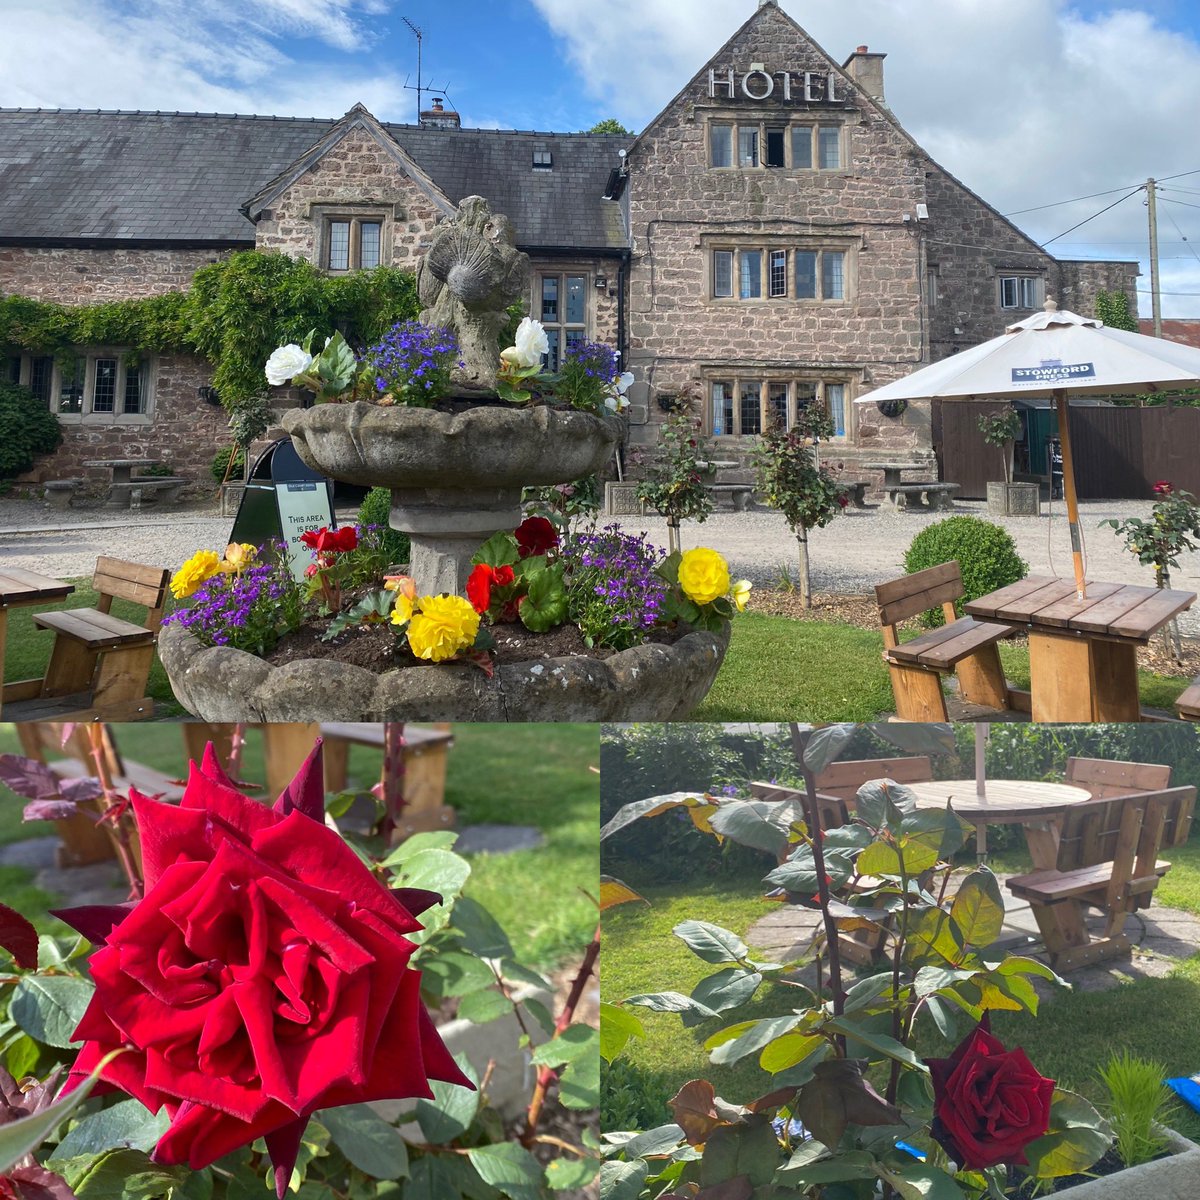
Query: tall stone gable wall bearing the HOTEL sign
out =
(681, 207)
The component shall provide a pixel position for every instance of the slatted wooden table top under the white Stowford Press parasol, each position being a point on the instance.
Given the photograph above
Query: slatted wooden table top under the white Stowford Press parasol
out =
(1121, 611)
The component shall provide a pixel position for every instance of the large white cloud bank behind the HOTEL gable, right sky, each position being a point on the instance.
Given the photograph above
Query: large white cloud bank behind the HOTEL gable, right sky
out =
(1029, 103)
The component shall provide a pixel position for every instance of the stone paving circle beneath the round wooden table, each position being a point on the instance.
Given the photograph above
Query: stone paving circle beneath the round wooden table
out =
(1161, 939)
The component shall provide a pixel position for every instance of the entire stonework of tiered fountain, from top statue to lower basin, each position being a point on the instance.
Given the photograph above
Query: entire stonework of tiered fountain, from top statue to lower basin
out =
(455, 473)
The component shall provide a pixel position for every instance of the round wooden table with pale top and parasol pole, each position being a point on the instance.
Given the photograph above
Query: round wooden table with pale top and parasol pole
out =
(1034, 805)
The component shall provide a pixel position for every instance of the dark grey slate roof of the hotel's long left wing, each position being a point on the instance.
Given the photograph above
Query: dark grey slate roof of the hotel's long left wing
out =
(173, 178)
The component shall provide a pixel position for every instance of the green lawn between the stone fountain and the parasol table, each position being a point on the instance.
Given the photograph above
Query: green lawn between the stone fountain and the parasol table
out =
(784, 670)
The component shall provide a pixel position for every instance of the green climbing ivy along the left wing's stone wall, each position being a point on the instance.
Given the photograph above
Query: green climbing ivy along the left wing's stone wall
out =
(236, 313)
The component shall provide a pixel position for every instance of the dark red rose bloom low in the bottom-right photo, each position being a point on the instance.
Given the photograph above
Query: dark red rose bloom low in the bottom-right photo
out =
(989, 1102)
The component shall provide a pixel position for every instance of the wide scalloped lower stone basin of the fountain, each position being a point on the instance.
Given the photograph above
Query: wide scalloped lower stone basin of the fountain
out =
(647, 683)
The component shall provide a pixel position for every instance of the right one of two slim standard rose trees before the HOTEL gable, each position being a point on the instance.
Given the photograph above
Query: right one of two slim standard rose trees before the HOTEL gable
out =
(793, 482)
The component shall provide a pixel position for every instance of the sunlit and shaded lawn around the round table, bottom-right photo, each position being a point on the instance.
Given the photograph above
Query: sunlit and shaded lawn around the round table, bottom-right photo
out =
(1071, 1040)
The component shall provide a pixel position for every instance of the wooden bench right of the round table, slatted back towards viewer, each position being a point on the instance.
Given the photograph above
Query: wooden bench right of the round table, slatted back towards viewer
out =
(1108, 859)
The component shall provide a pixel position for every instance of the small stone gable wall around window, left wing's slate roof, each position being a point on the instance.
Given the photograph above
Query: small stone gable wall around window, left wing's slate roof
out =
(359, 175)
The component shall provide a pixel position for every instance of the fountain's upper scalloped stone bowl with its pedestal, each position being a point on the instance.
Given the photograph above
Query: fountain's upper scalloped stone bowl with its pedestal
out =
(455, 478)
